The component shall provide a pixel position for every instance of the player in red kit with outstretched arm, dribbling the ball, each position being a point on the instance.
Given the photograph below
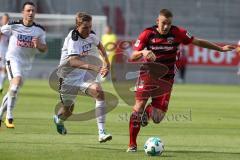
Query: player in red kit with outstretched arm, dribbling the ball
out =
(158, 44)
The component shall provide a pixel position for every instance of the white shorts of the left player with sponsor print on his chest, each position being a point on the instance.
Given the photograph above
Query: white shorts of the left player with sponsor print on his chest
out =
(15, 69)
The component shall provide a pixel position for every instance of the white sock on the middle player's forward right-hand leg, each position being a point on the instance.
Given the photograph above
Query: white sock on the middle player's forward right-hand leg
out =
(100, 115)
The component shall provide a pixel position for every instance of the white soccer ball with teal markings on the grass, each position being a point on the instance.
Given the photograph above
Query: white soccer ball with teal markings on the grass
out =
(154, 146)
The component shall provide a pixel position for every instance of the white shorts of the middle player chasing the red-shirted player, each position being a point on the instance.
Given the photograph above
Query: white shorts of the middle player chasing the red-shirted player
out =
(69, 87)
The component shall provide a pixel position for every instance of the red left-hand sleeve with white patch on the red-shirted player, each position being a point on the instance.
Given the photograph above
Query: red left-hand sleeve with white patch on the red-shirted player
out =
(142, 41)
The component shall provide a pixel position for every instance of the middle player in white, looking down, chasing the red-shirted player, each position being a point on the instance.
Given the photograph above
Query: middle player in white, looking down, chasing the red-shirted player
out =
(76, 49)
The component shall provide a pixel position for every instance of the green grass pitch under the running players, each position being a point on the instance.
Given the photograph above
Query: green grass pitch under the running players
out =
(203, 122)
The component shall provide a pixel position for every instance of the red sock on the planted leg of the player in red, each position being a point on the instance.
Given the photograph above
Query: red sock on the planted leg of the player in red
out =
(134, 128)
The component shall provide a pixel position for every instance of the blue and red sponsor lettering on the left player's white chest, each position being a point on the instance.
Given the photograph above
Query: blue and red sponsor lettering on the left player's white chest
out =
(25, 41)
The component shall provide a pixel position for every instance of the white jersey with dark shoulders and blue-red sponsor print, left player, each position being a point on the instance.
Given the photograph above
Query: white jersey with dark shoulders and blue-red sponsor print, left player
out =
(21, 47)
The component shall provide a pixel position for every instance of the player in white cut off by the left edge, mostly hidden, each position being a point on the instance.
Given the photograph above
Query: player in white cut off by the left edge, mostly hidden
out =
(3, 49)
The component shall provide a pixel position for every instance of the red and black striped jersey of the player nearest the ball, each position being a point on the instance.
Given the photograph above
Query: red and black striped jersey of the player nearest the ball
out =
(165, 47)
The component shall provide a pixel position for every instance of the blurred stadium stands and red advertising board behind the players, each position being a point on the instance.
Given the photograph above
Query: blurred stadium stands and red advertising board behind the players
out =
(215, 20)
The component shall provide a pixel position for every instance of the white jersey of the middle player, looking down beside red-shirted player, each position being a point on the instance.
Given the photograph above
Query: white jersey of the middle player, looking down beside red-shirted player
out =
(75, 45)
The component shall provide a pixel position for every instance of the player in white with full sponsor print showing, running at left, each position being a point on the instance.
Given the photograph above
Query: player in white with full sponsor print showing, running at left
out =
(25, 38)
